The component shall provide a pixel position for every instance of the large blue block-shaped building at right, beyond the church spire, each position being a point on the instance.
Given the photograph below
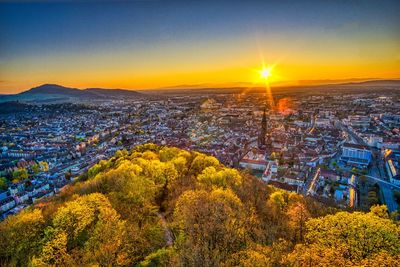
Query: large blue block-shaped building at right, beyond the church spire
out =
(356, 155)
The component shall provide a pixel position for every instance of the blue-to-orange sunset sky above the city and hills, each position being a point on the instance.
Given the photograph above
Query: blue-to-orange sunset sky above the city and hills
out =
(153, 44)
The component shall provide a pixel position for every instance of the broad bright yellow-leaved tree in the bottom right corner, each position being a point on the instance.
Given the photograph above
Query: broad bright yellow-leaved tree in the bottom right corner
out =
(356, 235)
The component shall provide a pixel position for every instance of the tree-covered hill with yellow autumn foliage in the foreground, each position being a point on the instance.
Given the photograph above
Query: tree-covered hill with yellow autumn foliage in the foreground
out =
(163, 206)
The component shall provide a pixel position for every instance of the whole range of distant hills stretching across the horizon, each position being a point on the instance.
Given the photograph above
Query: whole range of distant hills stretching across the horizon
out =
(53, 93)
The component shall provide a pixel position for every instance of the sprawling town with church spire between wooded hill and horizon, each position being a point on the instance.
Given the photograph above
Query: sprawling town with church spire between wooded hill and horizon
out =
(341, 147)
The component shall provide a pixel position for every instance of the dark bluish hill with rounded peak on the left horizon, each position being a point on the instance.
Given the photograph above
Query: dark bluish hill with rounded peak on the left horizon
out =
(51, 93)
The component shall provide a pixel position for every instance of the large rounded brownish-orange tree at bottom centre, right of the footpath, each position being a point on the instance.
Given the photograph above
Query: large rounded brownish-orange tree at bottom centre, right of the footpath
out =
(210, 225)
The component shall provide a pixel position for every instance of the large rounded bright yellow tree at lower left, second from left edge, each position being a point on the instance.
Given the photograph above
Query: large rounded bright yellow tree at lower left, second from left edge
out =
(86, 231)
